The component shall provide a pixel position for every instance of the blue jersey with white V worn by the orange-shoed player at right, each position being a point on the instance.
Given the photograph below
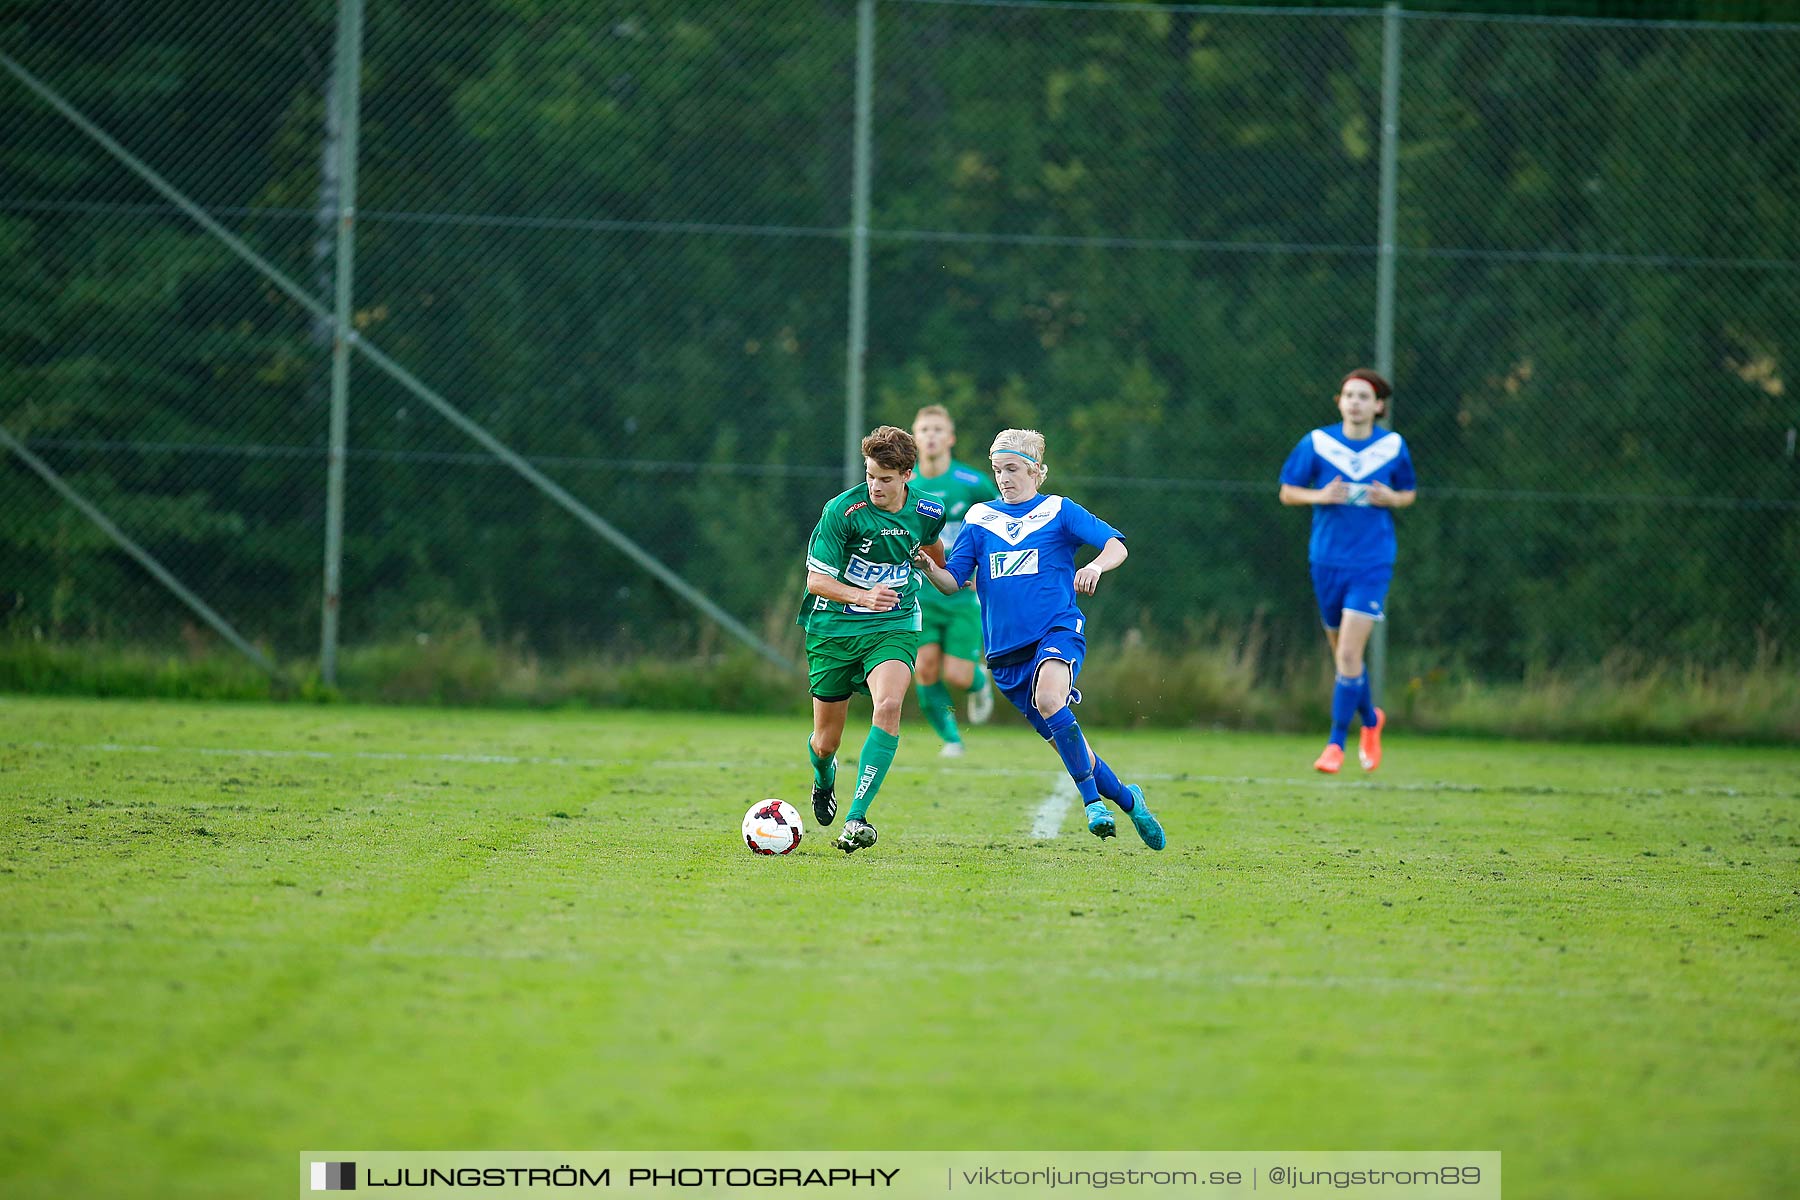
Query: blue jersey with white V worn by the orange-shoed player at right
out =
(1354, 533)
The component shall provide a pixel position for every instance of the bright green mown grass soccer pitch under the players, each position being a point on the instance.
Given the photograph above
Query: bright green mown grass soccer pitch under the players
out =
(229, 935)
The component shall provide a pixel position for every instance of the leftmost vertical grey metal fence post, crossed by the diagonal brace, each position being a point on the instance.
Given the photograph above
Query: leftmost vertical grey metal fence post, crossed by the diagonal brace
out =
(348, 102)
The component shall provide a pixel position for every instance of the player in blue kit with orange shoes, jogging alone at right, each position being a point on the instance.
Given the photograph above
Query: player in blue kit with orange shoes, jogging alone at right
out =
(1356, 476)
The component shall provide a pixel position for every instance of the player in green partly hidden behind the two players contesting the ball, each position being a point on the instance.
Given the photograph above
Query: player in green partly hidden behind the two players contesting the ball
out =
(949, 647)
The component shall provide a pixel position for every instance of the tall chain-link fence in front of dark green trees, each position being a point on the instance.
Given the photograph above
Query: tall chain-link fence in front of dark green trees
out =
(616, 240)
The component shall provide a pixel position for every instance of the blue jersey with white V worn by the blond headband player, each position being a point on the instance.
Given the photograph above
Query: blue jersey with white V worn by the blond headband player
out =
(1023, 560)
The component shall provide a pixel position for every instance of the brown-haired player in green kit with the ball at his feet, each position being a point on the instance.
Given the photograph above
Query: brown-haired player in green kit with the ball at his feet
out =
(863, 622)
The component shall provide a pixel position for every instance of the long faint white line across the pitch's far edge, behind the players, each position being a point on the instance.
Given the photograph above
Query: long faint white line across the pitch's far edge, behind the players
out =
(1351, 787)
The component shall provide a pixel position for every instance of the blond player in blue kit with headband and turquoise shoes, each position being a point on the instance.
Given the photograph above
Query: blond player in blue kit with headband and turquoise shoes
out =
(1021, 555)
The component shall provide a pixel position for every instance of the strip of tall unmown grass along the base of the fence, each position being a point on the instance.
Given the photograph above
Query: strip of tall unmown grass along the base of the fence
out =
(1212, 679)
